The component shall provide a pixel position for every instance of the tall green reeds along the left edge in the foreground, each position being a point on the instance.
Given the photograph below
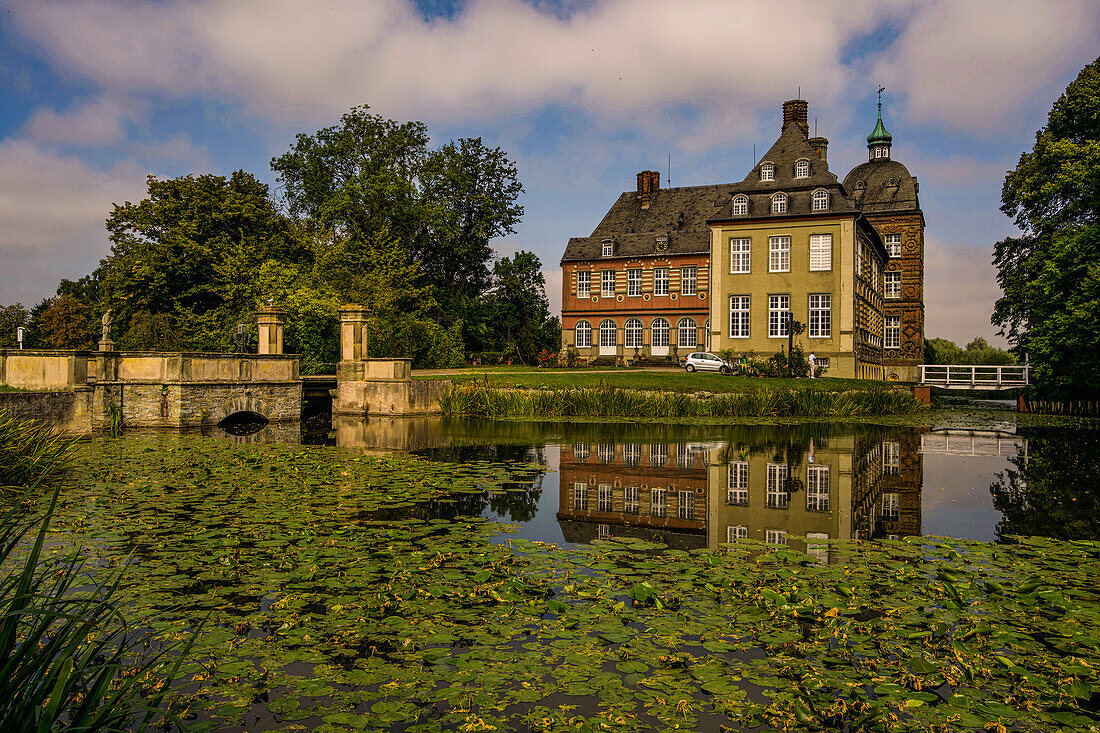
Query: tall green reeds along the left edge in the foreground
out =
(69, 660)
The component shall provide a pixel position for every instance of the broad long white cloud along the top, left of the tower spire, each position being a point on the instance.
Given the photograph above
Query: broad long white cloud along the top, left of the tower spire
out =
(291, 60)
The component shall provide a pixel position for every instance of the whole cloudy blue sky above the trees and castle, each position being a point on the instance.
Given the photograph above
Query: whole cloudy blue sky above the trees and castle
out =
(95, 95)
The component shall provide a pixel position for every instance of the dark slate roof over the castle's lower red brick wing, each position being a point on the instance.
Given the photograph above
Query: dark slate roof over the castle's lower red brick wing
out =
(679, 214)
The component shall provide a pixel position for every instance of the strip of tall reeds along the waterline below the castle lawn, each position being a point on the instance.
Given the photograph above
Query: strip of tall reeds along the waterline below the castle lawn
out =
(476, 400)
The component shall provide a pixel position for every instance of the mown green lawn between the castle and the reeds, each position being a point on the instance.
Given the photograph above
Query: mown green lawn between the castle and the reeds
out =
(673, 380)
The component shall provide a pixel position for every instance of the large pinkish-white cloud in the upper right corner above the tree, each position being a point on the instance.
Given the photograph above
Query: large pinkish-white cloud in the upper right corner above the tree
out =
(974, 64)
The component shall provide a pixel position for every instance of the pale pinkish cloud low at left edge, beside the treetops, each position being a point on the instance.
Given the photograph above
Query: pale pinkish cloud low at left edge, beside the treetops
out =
(53, 209)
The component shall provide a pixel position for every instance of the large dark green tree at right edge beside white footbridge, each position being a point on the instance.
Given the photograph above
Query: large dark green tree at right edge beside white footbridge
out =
(1051, 275)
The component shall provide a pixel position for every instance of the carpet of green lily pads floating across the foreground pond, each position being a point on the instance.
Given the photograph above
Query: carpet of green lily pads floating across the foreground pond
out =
(345, 588)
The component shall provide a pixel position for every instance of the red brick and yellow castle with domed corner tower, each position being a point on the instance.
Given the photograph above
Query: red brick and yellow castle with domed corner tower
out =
(725, 267)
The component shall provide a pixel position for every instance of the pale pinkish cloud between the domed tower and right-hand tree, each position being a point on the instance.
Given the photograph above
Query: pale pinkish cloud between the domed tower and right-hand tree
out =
(960, 292)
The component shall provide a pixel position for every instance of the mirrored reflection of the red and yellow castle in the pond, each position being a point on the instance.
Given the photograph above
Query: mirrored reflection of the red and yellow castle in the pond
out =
(695, 496)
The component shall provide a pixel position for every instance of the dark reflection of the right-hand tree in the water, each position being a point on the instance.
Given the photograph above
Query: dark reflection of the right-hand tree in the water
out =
(1053, 489)
